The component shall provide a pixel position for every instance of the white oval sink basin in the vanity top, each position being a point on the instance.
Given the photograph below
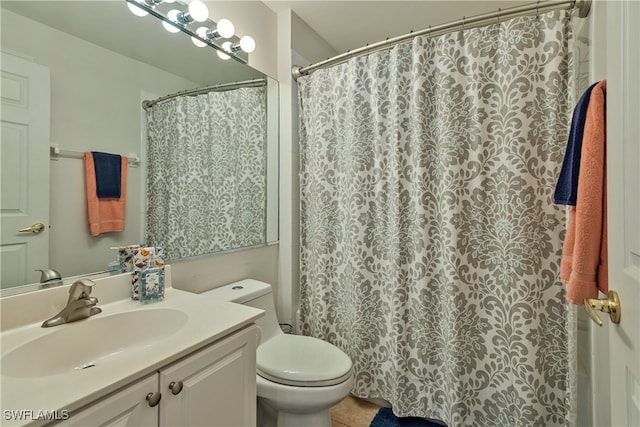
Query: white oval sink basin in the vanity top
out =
(87, 343)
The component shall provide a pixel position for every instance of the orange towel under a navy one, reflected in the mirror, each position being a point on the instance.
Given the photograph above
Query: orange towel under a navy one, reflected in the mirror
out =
(104, 215)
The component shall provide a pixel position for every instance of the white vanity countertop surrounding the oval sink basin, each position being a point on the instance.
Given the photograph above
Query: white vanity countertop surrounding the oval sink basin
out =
(207, 322)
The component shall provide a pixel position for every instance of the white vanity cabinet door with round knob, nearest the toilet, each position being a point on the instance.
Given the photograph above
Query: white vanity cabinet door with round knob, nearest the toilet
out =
(214, 387)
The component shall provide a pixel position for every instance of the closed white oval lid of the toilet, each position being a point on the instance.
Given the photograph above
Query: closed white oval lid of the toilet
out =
(302, 361)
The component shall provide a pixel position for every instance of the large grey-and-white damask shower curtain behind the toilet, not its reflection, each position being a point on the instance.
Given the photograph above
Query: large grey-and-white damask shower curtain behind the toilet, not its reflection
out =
(430, 244)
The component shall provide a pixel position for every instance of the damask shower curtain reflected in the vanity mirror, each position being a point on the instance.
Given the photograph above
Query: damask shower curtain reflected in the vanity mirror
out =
(206, 187)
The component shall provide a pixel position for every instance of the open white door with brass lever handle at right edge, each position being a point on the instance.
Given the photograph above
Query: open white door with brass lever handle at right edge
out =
(623, 174)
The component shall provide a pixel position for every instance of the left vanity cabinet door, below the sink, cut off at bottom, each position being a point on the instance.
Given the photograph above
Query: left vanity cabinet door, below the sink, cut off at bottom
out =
(128, 407)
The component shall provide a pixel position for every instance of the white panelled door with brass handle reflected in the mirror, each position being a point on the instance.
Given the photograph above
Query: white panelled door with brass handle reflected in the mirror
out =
(24, 180)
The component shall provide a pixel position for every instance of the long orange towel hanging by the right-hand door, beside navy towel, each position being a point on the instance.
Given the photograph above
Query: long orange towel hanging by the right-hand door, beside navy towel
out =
(584, 253)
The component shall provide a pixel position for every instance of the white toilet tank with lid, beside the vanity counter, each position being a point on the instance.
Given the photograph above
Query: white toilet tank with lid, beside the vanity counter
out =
(252, 293)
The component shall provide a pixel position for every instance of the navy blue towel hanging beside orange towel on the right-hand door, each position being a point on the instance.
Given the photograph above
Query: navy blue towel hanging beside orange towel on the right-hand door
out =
(567, 186)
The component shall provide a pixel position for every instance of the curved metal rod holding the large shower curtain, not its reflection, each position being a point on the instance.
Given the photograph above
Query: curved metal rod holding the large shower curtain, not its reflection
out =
(583, 7)
